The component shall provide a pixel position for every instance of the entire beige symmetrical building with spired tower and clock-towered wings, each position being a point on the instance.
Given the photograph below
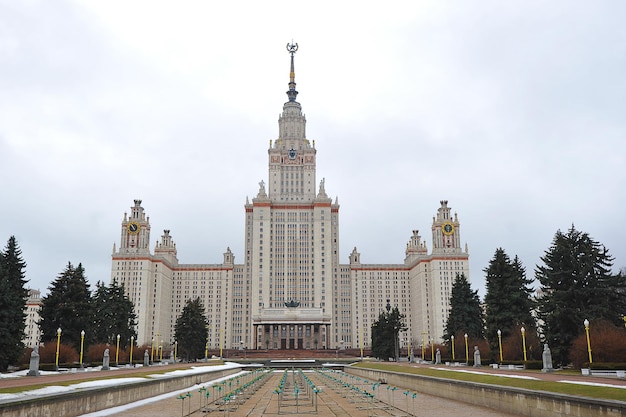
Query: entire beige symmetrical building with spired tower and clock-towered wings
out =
(291, 291)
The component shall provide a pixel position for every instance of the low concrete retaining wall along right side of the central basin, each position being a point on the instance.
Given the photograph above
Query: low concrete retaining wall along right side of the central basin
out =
(506, 399)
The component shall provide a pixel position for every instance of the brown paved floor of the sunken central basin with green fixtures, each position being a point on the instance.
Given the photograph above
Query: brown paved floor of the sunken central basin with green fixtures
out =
(334, 399)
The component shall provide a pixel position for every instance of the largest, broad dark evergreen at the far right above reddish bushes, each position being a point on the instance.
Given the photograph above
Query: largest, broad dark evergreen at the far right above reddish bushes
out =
(576, 284)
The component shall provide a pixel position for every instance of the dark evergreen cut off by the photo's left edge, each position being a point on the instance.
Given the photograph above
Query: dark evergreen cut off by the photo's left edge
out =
(13, 296)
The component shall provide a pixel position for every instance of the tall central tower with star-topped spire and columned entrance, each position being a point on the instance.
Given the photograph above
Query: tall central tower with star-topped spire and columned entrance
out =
(291, 241)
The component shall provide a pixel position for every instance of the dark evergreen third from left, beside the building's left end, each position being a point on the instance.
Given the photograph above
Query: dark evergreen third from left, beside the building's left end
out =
(114, 315)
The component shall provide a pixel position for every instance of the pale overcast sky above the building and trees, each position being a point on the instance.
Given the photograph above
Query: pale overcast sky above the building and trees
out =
(512, 111)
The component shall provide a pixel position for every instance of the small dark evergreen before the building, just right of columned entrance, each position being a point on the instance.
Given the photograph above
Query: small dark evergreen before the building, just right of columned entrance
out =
(385, 333)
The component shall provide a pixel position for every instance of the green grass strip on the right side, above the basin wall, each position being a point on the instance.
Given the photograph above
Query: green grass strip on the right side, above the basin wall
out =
(592, 391)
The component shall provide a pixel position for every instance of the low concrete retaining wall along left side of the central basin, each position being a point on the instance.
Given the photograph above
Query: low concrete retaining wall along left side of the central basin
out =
(75, 403)
